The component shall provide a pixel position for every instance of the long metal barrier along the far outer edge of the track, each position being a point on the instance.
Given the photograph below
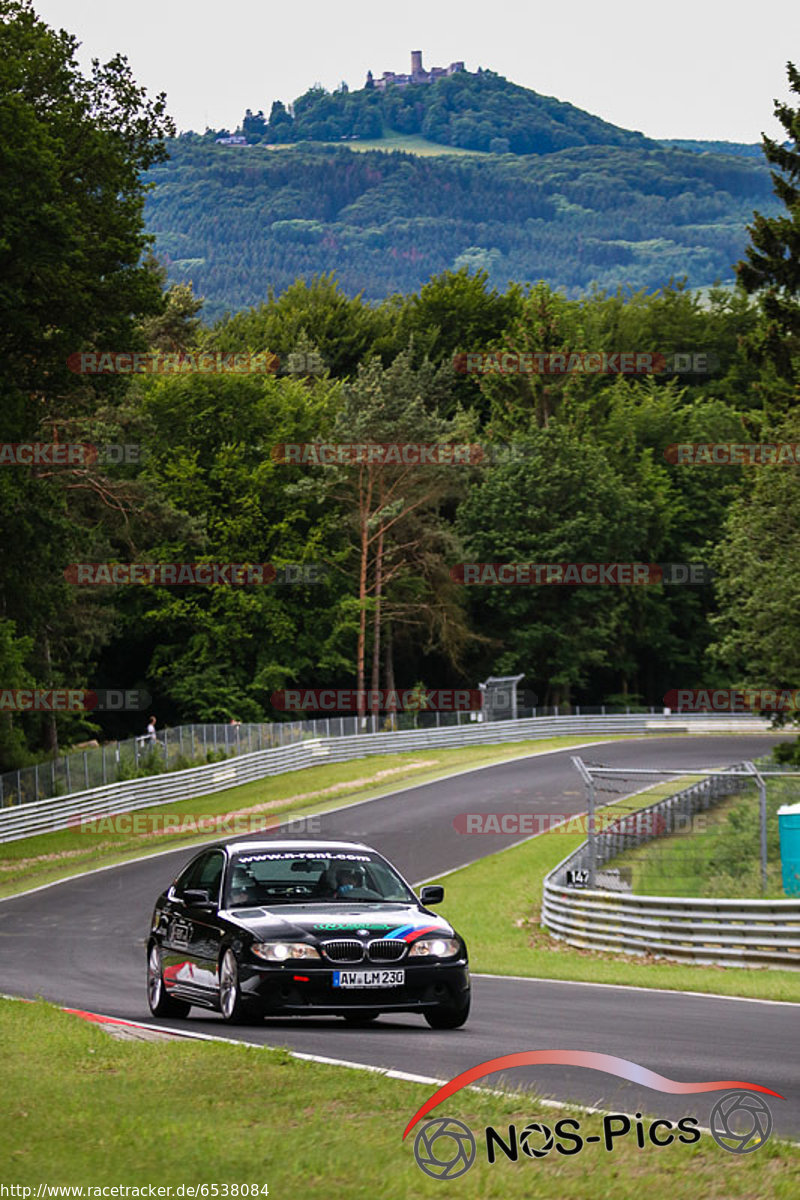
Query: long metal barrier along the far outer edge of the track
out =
(62, 813)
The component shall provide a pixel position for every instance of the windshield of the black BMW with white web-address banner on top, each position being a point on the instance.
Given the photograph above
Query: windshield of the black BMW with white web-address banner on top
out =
(270, 878)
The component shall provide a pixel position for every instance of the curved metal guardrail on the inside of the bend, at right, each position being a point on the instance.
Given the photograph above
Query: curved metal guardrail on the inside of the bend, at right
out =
(718, 933)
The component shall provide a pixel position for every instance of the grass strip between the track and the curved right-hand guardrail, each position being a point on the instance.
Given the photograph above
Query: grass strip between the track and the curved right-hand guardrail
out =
(504, 935)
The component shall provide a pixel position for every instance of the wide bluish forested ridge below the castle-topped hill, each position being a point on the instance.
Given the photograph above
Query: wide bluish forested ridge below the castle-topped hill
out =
(237, 221)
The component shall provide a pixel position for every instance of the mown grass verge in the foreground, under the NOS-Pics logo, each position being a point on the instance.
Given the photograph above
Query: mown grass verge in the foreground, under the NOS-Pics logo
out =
(81, 1108)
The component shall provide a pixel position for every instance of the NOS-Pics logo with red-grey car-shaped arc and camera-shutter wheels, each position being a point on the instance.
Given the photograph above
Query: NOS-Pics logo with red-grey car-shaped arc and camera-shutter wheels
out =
(446, 1149)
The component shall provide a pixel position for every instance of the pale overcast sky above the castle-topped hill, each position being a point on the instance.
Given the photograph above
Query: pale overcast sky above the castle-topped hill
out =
(691, 69)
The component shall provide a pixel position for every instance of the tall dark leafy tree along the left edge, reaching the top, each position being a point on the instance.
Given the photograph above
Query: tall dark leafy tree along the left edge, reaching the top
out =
(71, 259)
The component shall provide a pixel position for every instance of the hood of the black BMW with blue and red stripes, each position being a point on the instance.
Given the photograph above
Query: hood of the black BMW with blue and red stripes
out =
(348, 921)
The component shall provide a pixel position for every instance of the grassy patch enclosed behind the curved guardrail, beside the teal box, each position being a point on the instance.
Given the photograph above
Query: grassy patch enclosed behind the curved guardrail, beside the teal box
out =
(720, 860)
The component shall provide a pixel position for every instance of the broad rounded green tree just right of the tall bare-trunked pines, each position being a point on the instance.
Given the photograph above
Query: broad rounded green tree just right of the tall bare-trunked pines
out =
(563, 503)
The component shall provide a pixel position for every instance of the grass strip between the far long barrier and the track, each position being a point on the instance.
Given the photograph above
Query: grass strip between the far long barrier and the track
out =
(55, 856)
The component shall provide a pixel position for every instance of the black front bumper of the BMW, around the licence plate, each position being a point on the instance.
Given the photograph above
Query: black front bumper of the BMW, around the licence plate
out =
(305, 988)
